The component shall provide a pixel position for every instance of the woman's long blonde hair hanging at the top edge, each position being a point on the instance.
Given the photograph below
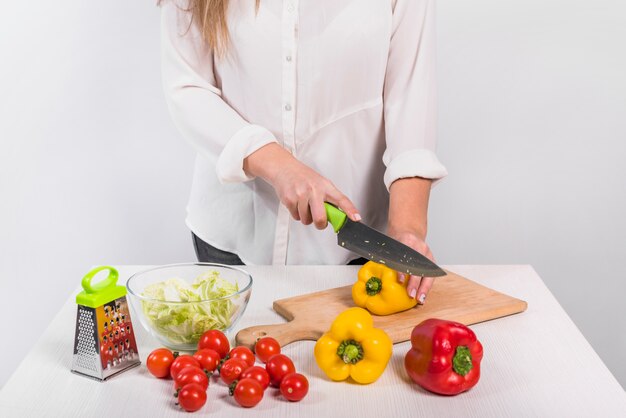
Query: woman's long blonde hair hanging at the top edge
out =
(210, 18)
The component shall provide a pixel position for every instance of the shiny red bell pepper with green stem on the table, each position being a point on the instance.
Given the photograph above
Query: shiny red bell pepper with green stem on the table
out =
(445, 357)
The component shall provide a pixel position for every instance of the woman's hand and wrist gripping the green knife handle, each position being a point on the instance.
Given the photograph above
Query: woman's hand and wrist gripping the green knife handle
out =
(300, 188)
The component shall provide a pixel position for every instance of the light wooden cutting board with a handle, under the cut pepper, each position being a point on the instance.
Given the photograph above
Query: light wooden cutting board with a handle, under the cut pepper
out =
(452, 297)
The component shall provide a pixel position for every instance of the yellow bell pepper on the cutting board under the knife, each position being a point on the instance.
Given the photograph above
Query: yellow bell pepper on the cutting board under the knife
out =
(379, 291)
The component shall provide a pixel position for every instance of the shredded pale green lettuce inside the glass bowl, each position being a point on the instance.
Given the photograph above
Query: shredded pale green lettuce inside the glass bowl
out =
(185, 323)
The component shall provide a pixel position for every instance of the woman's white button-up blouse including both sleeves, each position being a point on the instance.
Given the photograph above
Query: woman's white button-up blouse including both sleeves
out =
(347, 86)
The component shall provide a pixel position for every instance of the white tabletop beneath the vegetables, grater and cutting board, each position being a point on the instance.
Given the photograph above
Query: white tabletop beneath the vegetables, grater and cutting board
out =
(536, 364)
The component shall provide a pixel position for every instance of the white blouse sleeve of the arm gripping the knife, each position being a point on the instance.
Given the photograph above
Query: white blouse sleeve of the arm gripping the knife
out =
(195, 102)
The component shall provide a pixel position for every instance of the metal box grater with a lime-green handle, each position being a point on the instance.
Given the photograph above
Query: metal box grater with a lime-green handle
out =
(104, 343)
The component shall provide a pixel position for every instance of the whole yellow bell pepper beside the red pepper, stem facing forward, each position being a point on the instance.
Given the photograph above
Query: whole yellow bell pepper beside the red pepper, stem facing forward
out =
(353, 348)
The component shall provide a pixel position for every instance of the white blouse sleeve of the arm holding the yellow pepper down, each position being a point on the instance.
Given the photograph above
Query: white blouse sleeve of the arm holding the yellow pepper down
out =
(410, 95)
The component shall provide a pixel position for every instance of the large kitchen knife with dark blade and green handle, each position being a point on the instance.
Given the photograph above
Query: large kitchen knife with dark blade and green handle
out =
(376, 246)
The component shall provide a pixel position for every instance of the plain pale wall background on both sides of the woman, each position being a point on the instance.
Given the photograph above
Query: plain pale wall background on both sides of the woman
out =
(532, 119)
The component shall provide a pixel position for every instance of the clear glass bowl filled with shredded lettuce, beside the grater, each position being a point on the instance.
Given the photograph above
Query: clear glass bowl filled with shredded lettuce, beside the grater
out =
(179, 324)
